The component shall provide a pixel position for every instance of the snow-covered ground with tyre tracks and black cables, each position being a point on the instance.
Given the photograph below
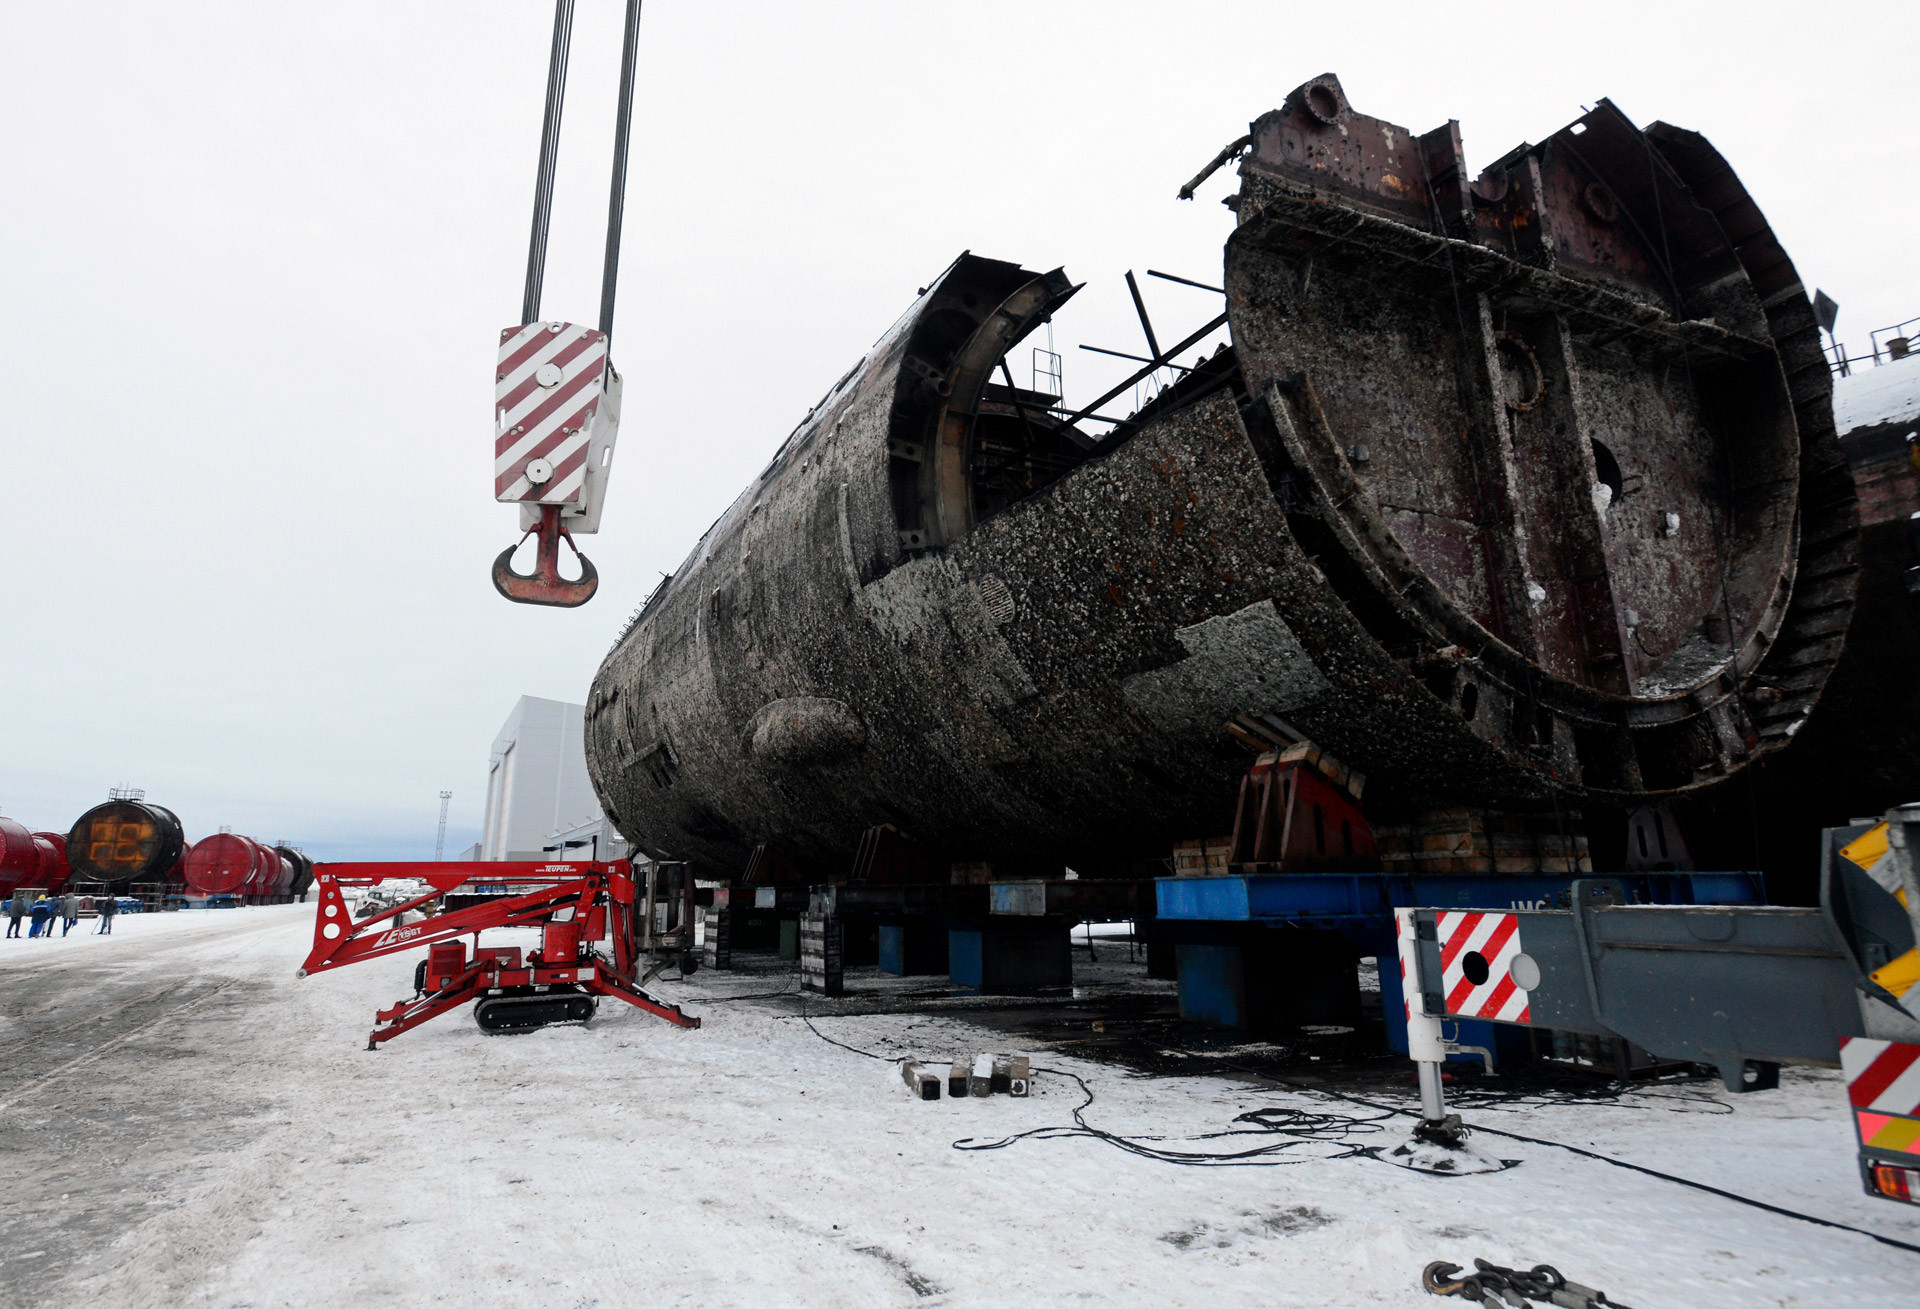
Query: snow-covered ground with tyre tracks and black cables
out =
(187, 1124)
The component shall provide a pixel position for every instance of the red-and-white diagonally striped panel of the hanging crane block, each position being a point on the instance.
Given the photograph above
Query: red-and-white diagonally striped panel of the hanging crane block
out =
(548, 389)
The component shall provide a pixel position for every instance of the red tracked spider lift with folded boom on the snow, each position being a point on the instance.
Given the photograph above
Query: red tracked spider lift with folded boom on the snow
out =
(562, 982)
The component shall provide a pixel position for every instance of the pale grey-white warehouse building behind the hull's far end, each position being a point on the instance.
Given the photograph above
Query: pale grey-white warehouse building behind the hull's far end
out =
(539, 799)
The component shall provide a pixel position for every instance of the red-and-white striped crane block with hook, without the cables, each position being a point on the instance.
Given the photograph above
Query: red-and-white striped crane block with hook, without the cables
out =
(556, 419)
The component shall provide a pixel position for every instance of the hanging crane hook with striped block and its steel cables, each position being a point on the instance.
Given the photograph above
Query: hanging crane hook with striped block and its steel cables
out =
(558, 396)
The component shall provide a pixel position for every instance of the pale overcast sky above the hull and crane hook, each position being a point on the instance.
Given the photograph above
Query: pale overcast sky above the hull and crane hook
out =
(254, 260)
